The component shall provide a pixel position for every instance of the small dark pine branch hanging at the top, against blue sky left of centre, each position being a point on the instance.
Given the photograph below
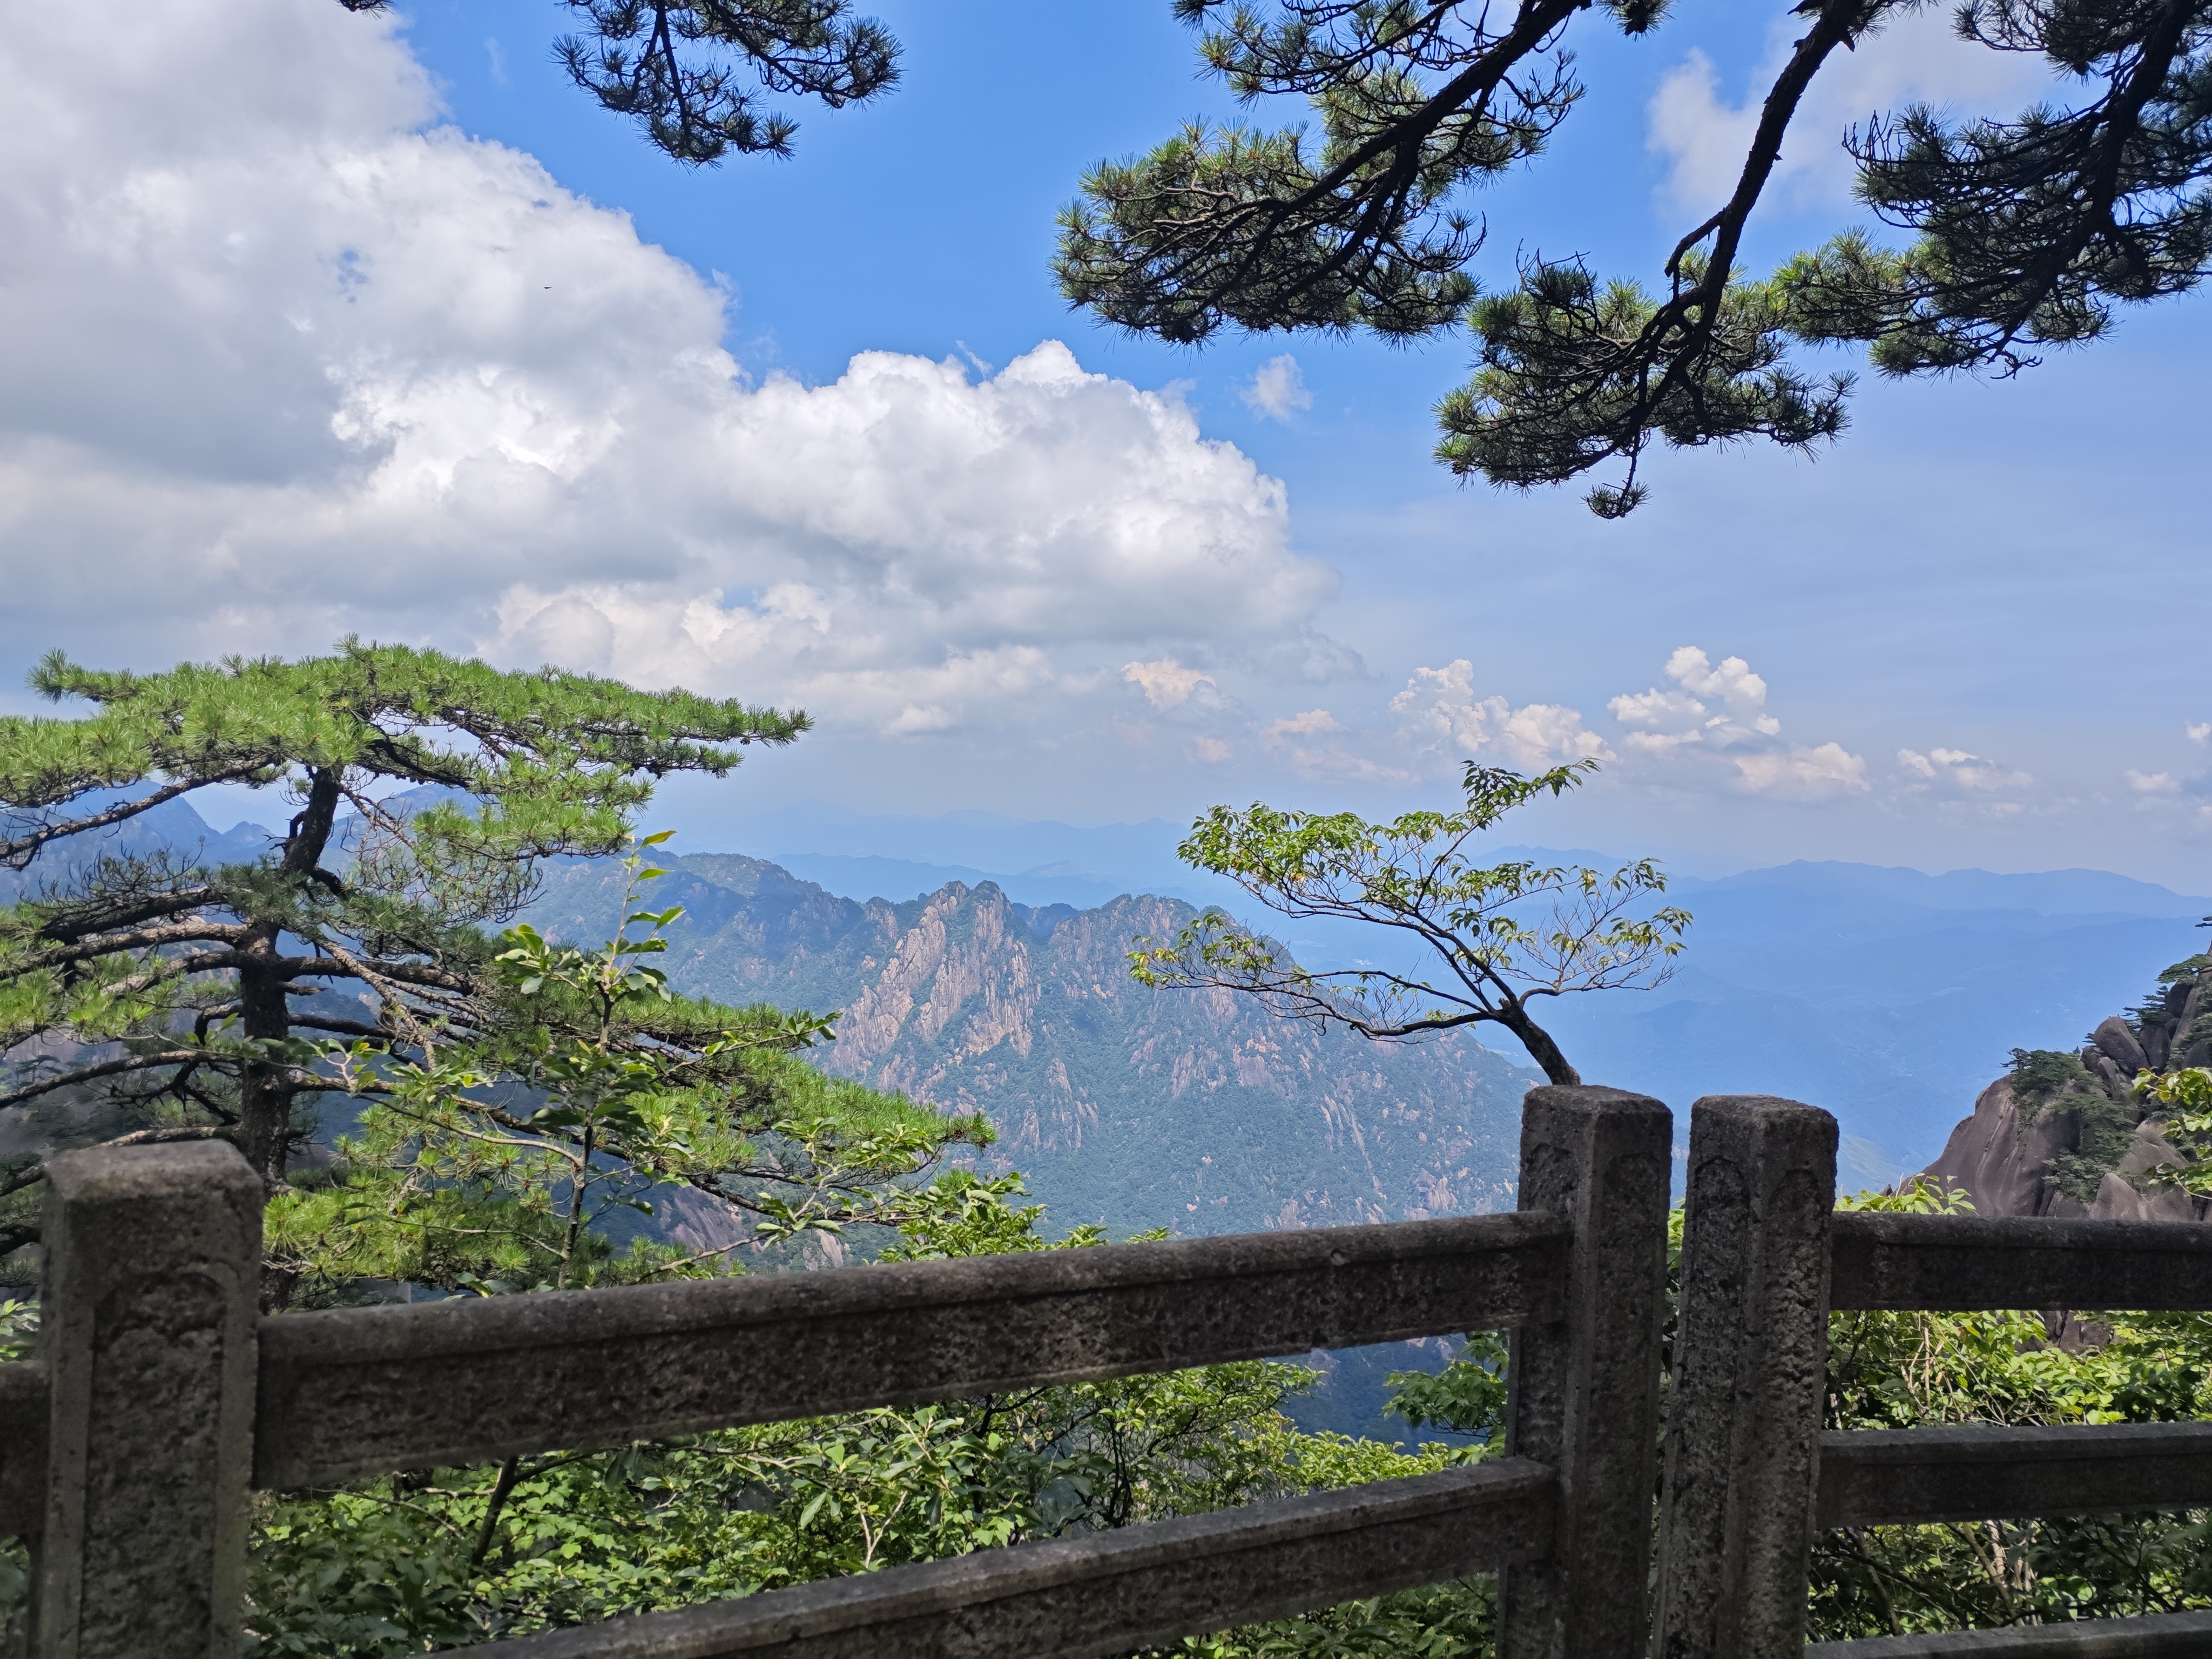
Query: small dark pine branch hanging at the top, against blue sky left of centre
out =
(693, 76)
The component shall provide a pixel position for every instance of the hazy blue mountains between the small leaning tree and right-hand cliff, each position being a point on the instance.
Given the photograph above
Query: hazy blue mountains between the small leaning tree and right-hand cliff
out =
(1844, 988)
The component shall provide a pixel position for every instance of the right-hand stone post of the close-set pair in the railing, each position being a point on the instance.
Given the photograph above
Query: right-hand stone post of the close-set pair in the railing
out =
(1751, 1364)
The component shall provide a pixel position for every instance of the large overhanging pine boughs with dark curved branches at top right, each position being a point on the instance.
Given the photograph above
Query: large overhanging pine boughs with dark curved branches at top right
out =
(2018, 233)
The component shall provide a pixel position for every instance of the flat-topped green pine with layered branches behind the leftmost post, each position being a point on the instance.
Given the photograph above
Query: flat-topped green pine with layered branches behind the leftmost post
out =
(428, 793)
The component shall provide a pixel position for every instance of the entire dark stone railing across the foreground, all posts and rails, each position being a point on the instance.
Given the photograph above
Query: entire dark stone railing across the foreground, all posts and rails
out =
(160, 1399)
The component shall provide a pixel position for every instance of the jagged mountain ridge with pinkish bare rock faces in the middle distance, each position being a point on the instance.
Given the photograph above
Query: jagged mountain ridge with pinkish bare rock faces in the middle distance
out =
(1123, 1105)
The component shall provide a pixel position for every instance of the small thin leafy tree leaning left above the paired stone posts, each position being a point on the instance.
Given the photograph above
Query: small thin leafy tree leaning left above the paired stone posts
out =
(1507, 935)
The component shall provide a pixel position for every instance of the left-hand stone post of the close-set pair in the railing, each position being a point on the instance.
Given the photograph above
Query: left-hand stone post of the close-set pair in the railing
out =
(1585, 1392)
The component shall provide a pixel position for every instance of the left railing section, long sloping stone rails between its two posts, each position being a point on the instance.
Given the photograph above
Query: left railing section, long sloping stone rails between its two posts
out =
(160, 1399)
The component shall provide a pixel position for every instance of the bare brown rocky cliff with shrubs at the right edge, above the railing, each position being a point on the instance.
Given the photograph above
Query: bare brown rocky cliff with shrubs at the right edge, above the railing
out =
(2067, 1134)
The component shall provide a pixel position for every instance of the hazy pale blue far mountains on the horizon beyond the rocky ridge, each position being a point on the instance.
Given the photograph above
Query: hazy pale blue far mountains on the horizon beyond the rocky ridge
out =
(1888, 997)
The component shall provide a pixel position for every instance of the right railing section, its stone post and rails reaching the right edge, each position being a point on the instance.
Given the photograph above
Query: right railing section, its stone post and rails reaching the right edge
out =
(1751, 1479)
